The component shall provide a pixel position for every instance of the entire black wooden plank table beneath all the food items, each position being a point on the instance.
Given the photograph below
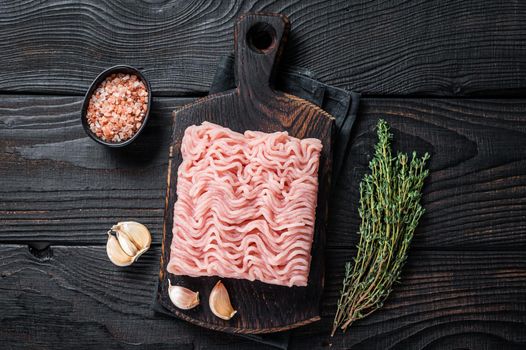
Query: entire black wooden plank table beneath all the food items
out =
(449, 76)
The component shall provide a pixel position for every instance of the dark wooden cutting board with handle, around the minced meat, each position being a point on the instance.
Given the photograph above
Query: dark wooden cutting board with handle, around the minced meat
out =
(254, 105)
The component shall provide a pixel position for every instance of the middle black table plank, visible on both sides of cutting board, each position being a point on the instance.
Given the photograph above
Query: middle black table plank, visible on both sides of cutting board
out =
(58, 185)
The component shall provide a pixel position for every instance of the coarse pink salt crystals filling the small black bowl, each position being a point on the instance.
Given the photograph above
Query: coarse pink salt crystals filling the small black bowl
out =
(117, 107)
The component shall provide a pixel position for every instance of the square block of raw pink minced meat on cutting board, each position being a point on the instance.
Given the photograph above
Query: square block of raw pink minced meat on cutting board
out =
(246, 205)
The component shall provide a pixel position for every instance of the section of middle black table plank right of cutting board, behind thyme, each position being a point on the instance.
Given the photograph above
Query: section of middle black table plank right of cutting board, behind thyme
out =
(475, 193)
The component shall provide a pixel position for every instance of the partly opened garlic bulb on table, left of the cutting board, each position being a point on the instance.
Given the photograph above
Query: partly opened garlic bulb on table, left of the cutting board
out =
(127, 241)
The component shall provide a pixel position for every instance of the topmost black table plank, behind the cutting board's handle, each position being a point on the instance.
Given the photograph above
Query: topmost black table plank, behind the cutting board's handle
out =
(416, 47)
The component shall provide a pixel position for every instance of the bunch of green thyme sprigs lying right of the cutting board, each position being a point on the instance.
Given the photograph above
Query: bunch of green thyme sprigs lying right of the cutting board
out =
(390, 210)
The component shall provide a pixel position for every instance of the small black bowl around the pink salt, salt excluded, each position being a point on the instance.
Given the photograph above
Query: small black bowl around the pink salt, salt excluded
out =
(98, 80)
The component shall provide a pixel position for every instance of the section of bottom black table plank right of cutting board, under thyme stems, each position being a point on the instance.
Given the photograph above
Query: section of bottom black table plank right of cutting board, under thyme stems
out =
(446, 300)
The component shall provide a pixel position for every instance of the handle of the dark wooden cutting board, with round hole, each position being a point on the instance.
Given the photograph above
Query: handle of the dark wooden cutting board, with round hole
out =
(259, 40)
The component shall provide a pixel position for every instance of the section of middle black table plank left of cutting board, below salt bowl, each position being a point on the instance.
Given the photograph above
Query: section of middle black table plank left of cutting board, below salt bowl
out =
(59, 185)
